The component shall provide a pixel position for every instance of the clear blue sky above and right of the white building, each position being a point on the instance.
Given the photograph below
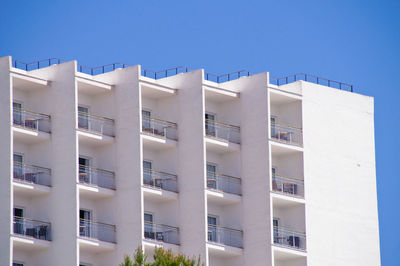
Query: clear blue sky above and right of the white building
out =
(357, 42)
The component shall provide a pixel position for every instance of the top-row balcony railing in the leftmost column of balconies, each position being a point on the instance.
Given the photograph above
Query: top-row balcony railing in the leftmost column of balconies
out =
(31, 120)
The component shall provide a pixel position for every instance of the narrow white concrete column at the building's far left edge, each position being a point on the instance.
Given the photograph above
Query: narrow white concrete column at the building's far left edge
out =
(5, 162)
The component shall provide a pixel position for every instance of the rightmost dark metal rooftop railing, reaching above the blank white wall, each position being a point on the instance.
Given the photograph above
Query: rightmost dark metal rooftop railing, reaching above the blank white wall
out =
(311, 78)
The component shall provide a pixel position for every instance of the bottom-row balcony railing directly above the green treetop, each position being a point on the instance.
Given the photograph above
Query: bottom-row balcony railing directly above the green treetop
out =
(161, 232)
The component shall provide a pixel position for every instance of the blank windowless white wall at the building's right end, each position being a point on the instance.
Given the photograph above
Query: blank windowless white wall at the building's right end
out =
(340, 181)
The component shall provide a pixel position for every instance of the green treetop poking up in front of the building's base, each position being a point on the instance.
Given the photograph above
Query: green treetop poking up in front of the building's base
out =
(161, 257)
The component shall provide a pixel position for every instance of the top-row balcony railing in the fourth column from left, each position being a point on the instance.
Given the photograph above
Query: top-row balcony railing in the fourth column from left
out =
(222, 131)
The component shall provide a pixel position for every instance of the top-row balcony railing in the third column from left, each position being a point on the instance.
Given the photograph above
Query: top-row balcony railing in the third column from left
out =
(159, 127)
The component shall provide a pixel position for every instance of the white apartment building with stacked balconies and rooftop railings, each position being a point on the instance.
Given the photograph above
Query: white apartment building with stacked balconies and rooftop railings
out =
(239, 169)
